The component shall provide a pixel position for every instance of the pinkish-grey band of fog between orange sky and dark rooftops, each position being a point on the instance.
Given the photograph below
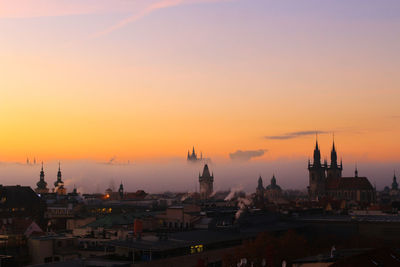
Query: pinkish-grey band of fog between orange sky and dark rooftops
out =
(181, 175)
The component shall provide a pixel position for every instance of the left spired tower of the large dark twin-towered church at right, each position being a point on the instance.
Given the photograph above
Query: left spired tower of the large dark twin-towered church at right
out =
(317, 177)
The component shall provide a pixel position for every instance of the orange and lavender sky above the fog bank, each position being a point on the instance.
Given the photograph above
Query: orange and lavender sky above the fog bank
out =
(242, 80)
